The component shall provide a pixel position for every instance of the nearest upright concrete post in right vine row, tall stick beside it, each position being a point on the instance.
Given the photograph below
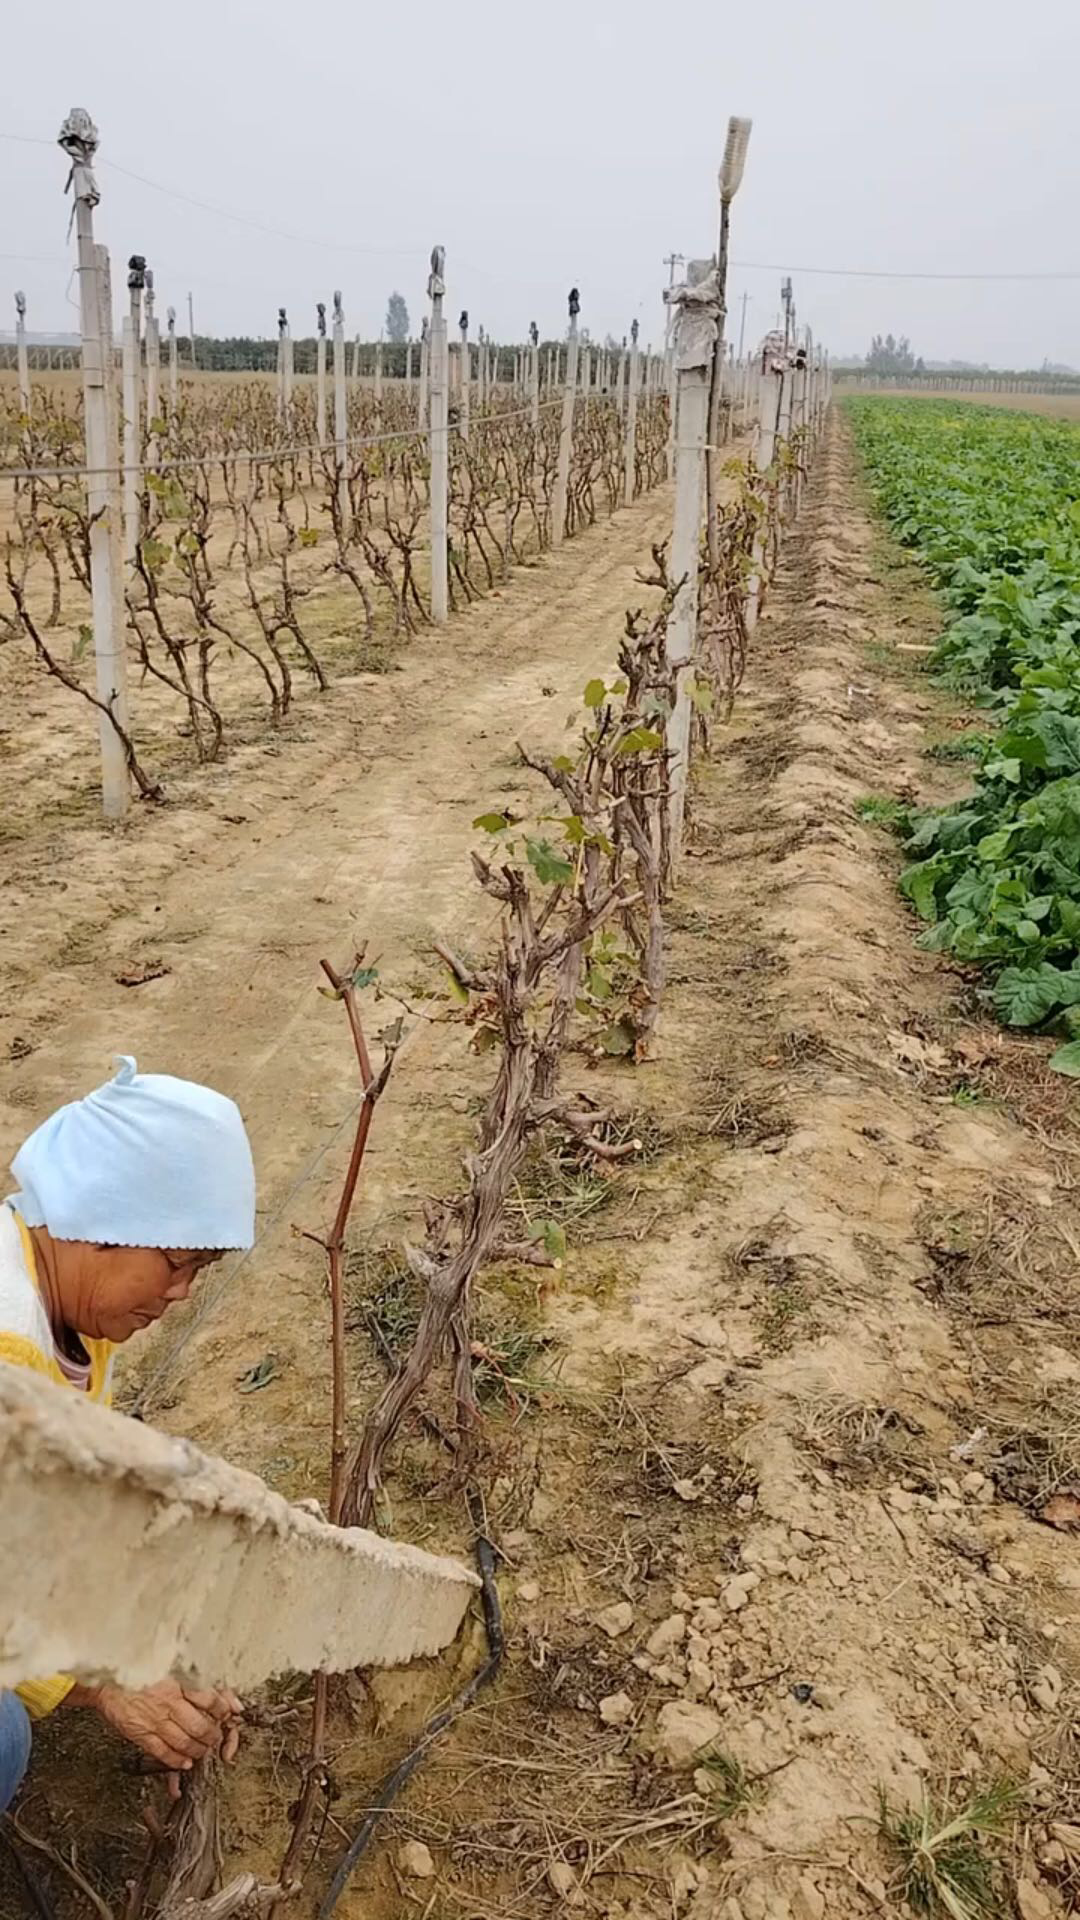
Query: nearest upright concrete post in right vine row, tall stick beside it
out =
(695, 345)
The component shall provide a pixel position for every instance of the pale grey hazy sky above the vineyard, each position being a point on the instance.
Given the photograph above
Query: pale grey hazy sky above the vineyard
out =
(554, 145)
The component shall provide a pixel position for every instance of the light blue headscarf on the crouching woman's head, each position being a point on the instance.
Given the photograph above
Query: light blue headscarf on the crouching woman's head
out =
(145, 1161)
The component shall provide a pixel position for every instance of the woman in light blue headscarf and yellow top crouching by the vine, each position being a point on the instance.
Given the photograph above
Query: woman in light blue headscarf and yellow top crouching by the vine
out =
(124, 1199)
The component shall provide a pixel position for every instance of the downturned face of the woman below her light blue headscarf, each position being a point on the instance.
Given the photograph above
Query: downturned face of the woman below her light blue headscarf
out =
(109, 1293)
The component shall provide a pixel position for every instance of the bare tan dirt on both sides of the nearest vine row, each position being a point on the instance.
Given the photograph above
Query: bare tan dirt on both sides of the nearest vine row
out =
(773, 1460)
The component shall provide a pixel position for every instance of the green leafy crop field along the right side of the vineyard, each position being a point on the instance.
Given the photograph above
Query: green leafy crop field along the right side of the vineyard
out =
(991, 506)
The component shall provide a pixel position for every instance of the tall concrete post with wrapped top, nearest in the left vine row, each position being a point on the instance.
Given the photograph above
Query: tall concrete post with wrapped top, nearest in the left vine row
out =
(80, 141)
